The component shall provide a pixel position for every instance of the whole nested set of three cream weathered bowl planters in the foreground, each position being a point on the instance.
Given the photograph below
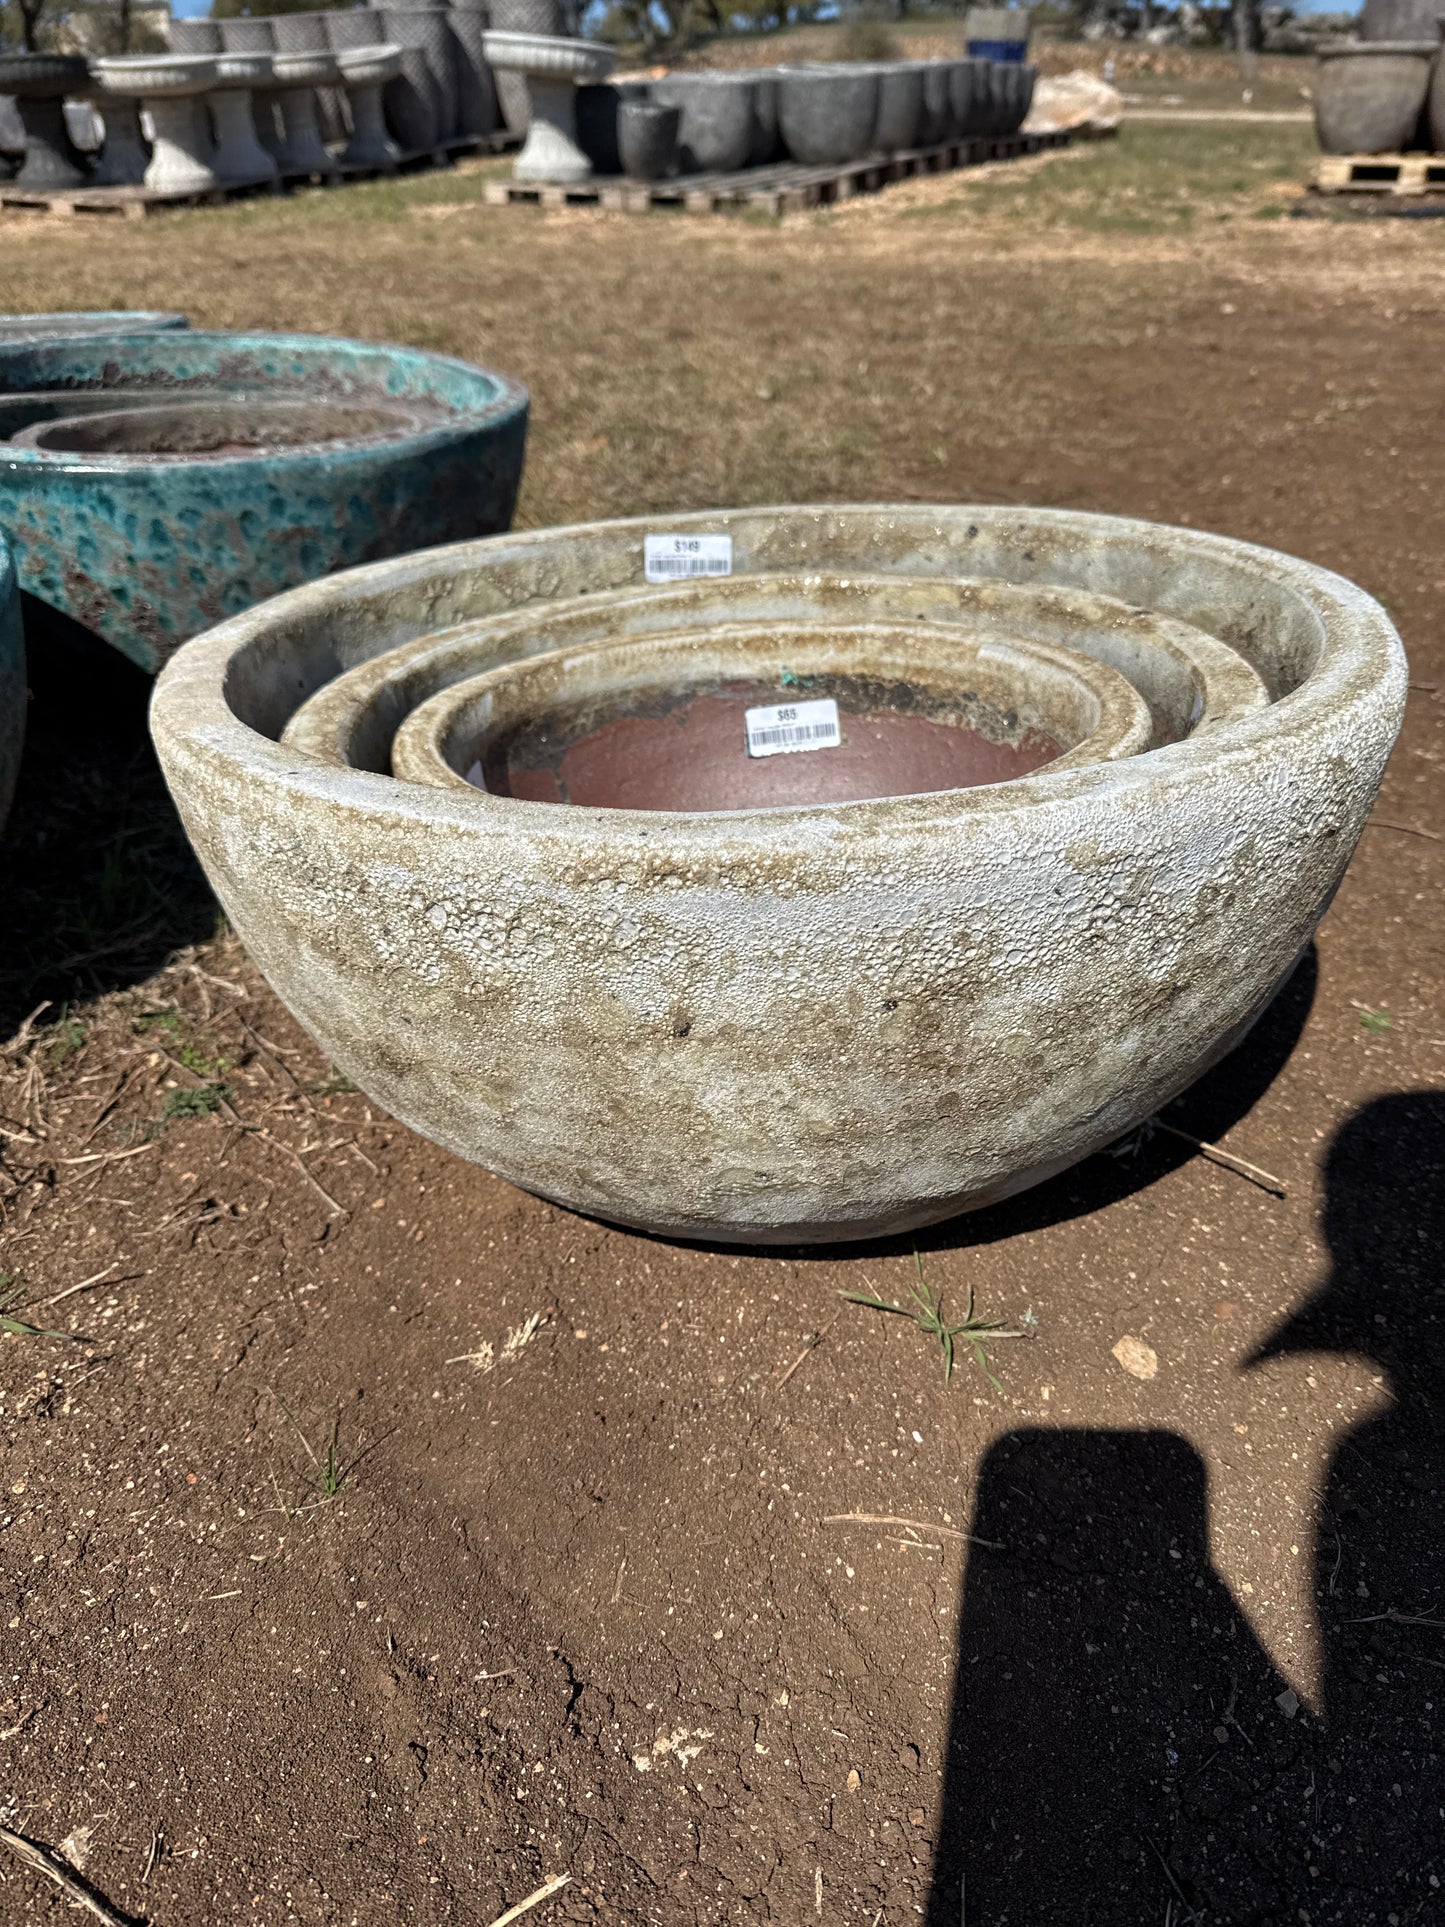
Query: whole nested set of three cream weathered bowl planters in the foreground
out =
(906, 864)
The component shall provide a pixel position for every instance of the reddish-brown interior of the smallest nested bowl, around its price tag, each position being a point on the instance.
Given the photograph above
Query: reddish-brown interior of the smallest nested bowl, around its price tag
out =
(670, 749)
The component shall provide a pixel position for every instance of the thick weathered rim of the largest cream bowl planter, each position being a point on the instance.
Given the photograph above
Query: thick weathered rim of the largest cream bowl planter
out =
(1359, 668)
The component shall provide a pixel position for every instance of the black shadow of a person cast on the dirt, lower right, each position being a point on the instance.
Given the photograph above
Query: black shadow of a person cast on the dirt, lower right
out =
(1118, 1747)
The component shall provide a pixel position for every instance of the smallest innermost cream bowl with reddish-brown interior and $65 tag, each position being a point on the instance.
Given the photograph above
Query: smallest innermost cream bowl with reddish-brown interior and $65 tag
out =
(722, 718)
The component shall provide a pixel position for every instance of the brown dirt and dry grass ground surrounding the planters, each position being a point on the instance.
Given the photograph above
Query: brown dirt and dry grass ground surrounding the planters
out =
(379, 1541)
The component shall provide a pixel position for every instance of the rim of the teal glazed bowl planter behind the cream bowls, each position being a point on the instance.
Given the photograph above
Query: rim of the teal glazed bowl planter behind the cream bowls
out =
(510, 398)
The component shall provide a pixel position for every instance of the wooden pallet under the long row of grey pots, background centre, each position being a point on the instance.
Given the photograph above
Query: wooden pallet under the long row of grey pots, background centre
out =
(772, 190)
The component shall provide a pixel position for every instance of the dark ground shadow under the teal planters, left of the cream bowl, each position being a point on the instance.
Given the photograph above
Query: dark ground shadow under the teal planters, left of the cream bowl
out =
(95, 870)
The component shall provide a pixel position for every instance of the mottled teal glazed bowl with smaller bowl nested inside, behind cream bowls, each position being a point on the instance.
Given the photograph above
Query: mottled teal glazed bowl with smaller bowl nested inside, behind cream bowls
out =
(153, 487)
